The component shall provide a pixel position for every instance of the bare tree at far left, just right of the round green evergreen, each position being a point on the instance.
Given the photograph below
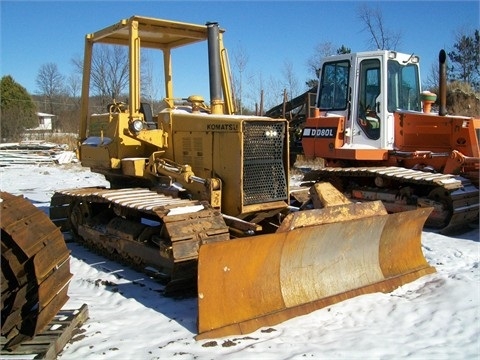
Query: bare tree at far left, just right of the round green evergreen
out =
(50, 83)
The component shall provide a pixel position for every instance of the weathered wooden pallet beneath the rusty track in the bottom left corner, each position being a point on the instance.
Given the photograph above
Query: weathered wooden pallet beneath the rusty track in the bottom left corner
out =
(50, 342)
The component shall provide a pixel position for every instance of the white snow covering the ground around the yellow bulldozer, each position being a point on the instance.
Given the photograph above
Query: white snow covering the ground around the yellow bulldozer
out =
(435, 317)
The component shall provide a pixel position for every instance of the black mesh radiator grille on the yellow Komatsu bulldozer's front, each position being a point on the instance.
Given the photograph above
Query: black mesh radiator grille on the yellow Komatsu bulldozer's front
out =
(264, 177)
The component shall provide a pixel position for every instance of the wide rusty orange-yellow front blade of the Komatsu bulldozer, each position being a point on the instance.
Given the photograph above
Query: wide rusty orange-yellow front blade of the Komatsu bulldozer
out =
(248, 283)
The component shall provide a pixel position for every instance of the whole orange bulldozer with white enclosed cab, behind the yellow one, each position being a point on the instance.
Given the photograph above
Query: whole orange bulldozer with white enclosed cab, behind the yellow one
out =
(377, 141)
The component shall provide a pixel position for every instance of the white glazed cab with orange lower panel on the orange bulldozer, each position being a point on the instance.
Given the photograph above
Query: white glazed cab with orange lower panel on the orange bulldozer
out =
(362, 91)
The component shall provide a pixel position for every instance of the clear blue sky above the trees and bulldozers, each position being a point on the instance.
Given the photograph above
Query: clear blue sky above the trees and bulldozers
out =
(270, 33)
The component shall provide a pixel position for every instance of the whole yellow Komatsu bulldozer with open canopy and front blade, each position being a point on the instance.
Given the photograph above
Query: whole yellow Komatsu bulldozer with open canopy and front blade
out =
(200, 196)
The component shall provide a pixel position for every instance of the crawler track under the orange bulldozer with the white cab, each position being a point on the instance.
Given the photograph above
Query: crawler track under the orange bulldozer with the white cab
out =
(455, 199)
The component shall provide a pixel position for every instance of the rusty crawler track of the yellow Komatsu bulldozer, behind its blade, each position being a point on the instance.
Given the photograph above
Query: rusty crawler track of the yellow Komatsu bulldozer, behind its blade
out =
(149, 231)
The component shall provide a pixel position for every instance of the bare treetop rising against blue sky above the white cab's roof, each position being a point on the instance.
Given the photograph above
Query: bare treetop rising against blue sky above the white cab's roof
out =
(381, 36)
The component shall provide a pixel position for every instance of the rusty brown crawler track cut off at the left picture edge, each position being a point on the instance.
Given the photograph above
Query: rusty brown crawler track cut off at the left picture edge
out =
(35, 270)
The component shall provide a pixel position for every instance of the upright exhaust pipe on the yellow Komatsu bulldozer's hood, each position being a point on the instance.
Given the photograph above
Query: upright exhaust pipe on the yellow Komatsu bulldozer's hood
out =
(216, 100)
